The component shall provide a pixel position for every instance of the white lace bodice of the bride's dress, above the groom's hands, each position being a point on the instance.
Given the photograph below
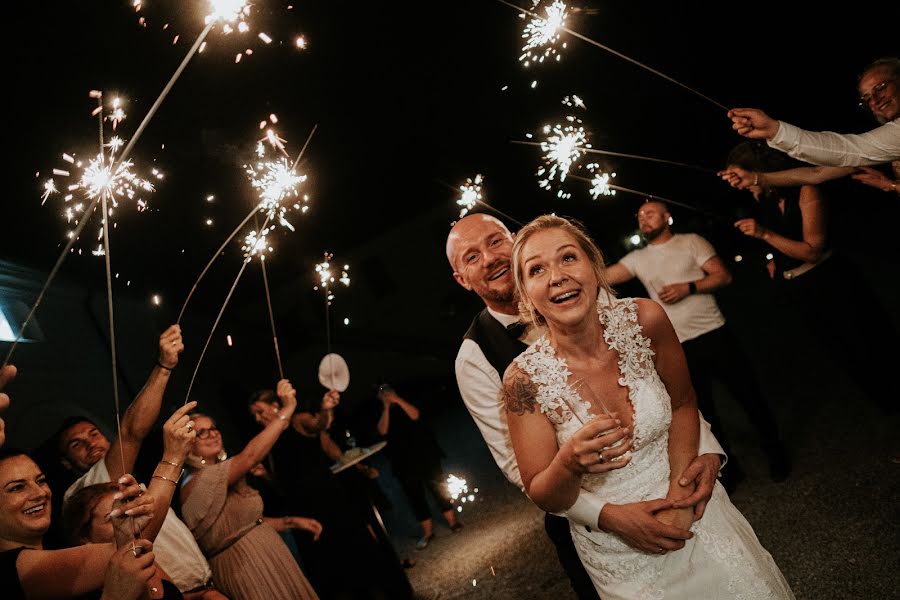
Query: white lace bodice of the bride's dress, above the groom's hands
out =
(568, 411)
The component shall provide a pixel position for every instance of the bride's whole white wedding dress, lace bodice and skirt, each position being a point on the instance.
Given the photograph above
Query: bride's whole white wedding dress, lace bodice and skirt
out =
(724, 559)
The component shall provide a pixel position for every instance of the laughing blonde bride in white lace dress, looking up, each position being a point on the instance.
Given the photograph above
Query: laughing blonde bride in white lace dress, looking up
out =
(609, 382)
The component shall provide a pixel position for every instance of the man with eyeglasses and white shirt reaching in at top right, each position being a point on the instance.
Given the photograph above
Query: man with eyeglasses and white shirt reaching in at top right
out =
(879, 90)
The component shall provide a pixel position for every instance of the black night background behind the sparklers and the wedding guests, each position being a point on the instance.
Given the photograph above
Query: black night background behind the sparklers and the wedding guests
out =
(409, 100)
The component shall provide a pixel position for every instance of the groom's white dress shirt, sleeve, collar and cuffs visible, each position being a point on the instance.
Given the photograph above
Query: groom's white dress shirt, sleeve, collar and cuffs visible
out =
(480, 386)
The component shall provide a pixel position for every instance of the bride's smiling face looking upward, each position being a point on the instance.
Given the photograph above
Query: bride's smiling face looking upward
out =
(558, 277)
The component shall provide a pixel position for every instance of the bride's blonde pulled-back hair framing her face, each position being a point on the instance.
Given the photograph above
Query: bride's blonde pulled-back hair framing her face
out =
(587, 245)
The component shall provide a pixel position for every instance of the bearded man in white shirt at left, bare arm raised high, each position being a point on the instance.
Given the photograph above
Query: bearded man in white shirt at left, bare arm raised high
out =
(84, 449)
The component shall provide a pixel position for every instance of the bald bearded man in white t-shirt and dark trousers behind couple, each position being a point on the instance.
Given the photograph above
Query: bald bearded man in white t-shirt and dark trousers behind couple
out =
(681, 271)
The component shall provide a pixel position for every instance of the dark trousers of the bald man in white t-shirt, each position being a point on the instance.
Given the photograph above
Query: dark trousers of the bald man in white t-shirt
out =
(717, 355)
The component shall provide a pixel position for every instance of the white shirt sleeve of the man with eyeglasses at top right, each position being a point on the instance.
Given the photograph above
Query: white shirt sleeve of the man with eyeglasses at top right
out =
(880, 145)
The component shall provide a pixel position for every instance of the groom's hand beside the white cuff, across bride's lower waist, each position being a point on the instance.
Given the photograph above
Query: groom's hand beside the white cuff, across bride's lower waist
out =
(637, 525)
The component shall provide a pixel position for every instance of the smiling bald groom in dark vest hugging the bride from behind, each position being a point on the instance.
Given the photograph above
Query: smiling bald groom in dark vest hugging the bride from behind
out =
(478, 249)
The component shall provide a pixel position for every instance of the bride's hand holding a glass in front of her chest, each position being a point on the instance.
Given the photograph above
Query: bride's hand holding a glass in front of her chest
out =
(600, 446)
